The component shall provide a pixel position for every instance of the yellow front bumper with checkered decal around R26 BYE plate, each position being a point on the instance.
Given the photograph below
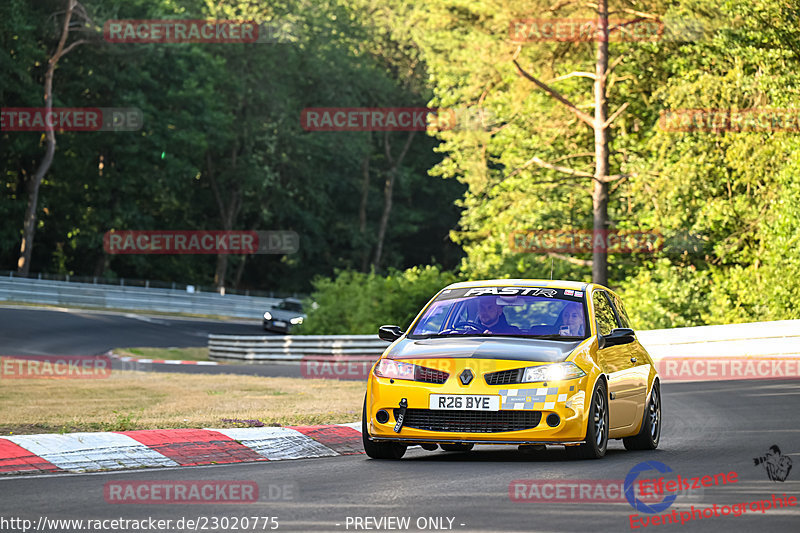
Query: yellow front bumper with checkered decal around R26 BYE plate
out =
(566, 399)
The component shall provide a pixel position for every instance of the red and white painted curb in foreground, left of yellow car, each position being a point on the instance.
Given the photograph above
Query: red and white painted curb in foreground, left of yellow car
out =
(87, 452)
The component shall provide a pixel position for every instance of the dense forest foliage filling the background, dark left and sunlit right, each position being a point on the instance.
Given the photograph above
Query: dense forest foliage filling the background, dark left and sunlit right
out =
(222, 145)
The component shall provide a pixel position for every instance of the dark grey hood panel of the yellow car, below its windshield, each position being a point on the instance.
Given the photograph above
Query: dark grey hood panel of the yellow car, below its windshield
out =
(538, 350)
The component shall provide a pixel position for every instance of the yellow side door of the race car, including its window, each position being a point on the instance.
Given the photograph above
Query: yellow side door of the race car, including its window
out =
(616, 361)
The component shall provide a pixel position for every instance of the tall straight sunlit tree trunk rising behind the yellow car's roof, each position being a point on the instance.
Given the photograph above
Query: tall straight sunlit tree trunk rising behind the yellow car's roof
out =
(600, 189)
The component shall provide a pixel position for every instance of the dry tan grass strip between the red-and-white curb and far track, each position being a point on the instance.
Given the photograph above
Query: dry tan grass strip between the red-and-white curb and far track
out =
(130, 400)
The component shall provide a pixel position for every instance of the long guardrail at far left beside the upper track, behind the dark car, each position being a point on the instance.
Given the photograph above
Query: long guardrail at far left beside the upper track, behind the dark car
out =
(131, 298)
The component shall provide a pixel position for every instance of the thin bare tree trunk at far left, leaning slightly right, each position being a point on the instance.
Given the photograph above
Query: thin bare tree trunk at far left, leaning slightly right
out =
(29, 224)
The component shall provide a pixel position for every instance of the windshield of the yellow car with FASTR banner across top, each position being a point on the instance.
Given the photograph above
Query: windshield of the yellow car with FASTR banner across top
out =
(505, 311)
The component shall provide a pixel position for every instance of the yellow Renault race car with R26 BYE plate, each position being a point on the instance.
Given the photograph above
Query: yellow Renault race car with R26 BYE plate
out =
(518, 362)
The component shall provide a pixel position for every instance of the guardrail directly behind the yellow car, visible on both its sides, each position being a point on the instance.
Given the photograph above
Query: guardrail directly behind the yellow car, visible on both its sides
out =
(773, 339)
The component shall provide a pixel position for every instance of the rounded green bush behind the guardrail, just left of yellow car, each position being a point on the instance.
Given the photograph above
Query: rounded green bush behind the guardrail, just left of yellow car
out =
(355, 303)
